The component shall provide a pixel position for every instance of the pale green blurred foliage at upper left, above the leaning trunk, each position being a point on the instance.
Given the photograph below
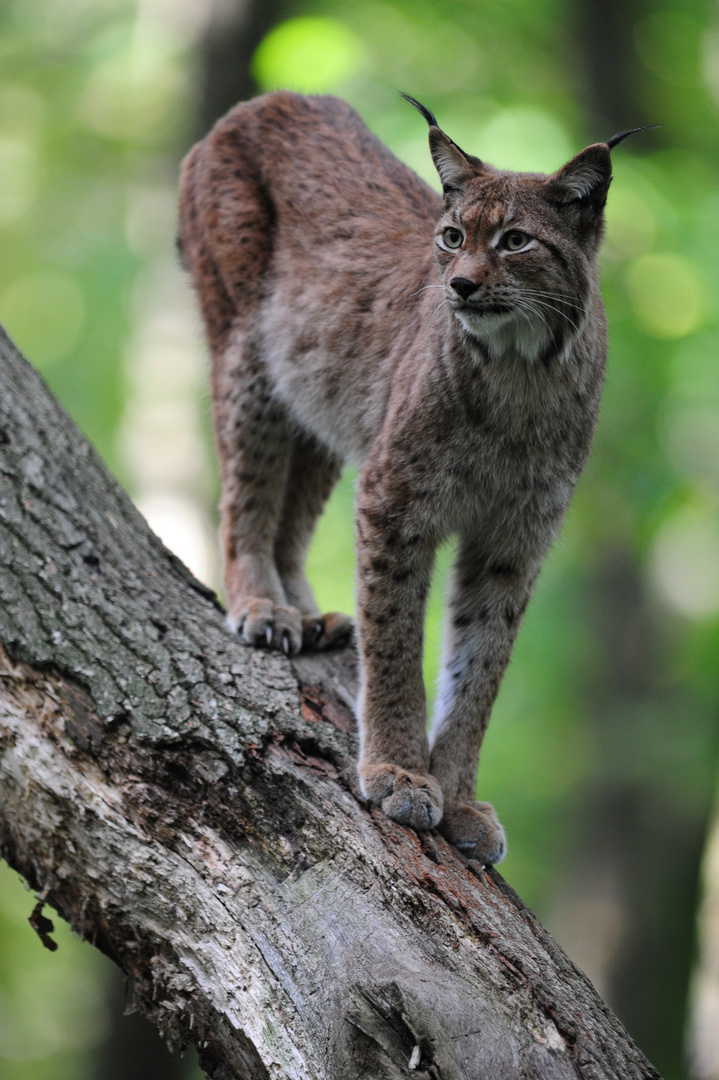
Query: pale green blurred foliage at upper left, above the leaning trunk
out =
(93, 104)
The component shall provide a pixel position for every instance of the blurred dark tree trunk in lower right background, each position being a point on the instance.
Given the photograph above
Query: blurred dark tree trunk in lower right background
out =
(639, 857)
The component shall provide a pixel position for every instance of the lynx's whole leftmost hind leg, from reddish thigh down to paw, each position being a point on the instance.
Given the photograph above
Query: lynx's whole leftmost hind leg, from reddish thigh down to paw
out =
(224, 228)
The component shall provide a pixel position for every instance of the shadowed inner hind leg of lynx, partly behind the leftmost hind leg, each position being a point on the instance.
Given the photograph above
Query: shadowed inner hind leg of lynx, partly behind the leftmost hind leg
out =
(313, 475)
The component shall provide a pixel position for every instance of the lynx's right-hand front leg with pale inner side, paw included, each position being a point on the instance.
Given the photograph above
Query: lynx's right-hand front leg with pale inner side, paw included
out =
(487, 604)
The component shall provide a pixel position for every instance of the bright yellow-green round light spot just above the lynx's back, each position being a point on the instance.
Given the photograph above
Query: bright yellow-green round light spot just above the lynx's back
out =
(310, 55)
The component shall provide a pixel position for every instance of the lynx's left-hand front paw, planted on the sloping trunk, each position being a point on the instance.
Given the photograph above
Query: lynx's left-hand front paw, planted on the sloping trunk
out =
(411, 799)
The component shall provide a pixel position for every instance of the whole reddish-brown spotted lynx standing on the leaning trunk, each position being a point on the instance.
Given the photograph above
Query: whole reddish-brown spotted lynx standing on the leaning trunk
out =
(454, 348)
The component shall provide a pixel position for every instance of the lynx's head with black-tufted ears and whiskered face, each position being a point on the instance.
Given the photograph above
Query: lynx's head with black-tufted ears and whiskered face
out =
(518, 251)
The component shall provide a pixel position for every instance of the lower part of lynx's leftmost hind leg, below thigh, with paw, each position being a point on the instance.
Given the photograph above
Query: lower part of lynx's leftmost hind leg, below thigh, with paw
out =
(253, 441)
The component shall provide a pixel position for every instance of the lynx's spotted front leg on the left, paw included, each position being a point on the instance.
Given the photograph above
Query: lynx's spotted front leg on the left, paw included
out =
(395, 565)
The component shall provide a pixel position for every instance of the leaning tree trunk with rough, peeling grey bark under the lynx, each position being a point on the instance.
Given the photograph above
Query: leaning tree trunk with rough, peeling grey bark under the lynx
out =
(189, 806)
